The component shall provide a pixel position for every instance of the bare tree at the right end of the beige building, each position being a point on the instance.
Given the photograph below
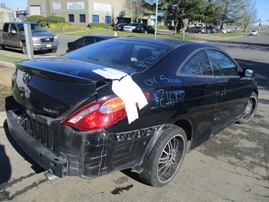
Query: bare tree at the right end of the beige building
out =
(135, 8)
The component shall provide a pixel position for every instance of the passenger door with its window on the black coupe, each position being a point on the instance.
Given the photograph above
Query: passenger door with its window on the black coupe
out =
(232, 91)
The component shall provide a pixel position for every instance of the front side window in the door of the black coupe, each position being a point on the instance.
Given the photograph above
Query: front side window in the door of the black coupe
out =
(222, 64)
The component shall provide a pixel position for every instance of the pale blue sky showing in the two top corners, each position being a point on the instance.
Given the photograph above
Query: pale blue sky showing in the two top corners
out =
(261, 5)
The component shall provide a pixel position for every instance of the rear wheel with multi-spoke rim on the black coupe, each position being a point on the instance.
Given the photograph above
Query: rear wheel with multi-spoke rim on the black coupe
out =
(166, 157)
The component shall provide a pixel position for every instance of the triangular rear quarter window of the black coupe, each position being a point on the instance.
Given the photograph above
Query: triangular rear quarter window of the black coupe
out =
(198, 64)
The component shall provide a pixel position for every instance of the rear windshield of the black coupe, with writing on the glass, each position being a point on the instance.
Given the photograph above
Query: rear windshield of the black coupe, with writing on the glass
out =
(121, 54)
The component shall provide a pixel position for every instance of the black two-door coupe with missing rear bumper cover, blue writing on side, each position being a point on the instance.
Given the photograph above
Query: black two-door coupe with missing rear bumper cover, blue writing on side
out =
(116, 104)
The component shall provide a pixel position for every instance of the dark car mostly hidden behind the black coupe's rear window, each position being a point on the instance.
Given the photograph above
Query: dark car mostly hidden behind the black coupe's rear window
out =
(86, 40)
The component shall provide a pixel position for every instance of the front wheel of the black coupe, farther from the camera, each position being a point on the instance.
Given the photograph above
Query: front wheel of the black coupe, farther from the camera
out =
(250, 109)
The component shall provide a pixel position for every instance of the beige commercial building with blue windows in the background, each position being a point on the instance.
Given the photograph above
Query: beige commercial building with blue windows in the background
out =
(82, 12)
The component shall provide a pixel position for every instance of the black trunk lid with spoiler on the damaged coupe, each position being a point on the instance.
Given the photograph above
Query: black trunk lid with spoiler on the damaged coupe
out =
(56, 85)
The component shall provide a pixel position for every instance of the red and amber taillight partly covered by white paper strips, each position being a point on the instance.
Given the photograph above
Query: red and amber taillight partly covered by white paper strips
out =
(98, 115)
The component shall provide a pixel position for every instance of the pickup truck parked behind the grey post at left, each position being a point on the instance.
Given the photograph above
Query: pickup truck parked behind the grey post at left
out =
(13, 36)
